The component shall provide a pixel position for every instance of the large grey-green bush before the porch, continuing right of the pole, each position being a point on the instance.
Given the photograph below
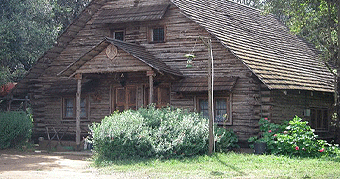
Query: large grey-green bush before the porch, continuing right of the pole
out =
(151, 132)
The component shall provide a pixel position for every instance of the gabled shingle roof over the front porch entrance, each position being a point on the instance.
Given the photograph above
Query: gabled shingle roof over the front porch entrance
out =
(135, 50)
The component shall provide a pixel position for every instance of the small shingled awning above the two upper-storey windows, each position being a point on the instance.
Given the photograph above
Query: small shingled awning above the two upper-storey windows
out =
(130, 14)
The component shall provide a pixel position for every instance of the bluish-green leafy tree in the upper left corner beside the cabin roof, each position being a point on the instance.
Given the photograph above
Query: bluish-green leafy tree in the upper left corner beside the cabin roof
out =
(26, 31)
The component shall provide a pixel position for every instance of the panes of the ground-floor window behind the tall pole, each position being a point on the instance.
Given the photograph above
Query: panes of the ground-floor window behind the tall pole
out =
(221, 110)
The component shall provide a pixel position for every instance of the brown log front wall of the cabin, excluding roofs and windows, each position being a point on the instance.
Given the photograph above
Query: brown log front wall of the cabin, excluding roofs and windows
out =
(249, 102)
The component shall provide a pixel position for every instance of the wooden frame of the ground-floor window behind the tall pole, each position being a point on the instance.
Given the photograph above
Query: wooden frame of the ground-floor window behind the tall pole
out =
(227, 99)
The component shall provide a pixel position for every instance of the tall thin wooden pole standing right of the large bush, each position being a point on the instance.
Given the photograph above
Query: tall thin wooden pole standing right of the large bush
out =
(210, 94)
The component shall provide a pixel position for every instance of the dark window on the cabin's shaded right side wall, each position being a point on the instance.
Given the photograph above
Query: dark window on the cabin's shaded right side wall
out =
(319, 119)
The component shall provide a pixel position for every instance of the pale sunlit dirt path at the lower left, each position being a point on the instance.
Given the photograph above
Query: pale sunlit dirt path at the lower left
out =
(33, 165)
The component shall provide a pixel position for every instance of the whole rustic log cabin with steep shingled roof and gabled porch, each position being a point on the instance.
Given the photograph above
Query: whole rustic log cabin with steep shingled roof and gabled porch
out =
(126, 54)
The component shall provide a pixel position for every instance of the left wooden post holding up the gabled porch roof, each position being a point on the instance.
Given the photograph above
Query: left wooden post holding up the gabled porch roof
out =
(78, 110)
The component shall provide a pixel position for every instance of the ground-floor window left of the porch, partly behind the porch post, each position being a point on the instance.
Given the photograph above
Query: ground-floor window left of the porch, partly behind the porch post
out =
(69, 110)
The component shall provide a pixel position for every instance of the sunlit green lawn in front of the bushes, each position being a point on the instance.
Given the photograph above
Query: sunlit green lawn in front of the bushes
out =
(230, 165)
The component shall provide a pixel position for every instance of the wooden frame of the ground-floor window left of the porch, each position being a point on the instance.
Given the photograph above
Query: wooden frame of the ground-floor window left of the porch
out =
(64, 106)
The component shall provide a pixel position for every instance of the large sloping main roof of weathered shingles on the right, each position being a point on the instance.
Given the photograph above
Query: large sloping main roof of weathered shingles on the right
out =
(278, 58)
